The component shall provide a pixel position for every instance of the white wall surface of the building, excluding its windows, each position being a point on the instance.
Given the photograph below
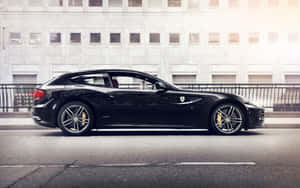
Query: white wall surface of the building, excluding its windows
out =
(164, 59)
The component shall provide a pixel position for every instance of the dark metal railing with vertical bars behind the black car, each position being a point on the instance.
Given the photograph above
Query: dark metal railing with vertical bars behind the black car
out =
(273, 97)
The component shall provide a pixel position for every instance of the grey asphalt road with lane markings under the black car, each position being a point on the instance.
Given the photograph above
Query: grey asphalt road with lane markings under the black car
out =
(46, 158)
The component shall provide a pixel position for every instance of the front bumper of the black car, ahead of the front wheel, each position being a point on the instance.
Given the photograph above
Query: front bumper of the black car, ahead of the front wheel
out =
(255, 117)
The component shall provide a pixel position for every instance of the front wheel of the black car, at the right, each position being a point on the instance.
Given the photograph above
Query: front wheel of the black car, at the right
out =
(227, 119)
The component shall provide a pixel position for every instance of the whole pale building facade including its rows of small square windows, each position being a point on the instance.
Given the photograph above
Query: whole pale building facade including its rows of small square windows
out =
(182, 41)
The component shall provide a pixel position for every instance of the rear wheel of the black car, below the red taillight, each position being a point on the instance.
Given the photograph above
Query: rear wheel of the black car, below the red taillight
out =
(75, 119)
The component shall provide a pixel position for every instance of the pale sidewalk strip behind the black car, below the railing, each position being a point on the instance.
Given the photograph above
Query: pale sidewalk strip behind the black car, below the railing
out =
(24, 121)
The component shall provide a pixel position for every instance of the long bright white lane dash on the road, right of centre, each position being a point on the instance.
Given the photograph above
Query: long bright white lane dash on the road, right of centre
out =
(215, 163)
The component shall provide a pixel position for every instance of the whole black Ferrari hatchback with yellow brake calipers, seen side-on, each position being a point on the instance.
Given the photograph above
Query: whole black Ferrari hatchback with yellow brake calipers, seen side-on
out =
(81, 101)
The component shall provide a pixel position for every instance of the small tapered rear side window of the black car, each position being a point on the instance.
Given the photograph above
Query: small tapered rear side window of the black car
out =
(101, 80)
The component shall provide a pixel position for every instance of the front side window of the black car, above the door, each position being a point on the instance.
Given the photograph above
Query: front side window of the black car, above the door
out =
(135, 83)
